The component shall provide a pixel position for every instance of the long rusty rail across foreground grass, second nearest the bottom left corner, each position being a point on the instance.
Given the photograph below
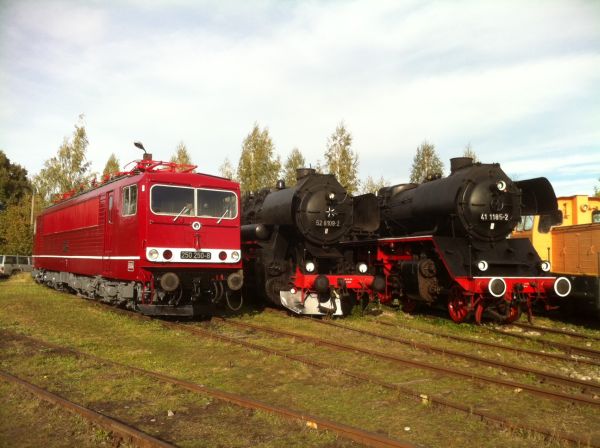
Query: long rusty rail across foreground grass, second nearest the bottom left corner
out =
(349, 432)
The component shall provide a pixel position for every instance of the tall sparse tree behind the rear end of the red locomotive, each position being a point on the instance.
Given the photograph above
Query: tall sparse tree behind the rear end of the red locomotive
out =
(68, 170)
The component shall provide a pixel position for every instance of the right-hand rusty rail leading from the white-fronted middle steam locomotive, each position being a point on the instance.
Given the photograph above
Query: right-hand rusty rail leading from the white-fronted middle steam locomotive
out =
(548, 376)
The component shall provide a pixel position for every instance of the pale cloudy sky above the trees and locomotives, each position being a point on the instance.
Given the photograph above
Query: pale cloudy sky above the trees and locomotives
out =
(519, 81)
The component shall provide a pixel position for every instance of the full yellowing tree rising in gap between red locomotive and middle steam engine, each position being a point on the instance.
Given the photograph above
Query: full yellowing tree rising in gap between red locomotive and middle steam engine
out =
(258, 167)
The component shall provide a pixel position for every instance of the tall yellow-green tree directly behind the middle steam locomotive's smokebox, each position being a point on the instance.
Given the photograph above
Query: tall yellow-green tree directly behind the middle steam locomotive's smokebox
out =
(341, 159)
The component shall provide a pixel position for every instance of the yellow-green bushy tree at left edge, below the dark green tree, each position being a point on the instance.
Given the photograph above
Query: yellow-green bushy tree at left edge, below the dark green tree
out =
(15, 227)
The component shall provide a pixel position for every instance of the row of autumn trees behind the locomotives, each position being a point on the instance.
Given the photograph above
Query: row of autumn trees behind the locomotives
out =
(259, 166)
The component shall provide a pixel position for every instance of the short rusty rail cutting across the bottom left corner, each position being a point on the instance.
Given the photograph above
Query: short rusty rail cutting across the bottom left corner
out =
(124, 431)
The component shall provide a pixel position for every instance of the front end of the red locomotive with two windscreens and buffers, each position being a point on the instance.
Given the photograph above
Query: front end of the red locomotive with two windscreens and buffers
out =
(193, 225)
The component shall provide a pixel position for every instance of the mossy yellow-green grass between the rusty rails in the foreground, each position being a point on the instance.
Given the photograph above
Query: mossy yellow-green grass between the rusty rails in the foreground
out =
(63, 319)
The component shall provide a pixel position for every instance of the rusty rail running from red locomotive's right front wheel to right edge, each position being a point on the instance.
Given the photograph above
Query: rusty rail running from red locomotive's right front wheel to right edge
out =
(556, 395)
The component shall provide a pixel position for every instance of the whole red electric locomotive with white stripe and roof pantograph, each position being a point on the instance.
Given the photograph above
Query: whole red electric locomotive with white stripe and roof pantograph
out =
(159, 239)
